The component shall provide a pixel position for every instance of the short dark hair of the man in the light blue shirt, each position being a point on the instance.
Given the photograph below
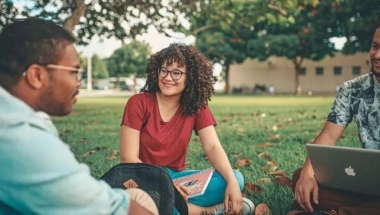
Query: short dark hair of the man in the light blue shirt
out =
(30, 41)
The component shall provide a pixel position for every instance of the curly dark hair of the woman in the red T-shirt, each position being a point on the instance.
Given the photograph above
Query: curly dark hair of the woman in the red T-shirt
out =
(200, 79)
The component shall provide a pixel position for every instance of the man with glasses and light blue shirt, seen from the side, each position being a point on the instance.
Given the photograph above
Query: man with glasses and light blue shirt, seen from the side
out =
(39, 77)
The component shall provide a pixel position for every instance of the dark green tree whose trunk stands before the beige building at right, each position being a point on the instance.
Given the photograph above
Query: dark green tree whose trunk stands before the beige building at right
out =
(304, 36)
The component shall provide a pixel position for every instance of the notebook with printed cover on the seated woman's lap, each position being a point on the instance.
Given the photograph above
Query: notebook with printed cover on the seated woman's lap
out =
(196, 182)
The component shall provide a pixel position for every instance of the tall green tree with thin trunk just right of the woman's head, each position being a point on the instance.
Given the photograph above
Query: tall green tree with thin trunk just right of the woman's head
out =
(223, 28)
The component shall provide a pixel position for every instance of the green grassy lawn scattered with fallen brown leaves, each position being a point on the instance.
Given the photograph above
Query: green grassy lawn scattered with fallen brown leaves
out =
(276, 128)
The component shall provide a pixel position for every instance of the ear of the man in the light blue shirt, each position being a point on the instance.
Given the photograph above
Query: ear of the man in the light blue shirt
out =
(36, 75)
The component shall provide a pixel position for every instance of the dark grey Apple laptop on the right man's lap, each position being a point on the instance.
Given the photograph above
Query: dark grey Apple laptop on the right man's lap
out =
(345, 168)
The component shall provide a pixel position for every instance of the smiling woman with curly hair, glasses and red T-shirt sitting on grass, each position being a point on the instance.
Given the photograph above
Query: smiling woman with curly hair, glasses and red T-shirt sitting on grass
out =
(157, 125)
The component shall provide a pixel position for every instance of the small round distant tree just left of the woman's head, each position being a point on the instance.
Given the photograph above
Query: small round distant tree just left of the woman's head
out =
(130, 59)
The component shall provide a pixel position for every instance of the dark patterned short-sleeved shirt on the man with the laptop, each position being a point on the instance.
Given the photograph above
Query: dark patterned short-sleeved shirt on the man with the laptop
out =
(359, 99)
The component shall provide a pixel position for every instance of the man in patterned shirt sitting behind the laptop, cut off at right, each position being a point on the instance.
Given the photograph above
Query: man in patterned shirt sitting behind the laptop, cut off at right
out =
(358, 99)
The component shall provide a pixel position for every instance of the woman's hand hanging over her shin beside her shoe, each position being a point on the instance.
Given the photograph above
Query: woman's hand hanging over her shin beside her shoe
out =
(233, 200)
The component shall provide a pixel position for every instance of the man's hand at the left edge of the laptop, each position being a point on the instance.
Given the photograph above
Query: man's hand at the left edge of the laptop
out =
(306, 188)
